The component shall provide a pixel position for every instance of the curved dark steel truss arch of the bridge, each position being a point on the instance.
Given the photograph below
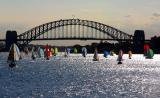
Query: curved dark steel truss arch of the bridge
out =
(34, 33)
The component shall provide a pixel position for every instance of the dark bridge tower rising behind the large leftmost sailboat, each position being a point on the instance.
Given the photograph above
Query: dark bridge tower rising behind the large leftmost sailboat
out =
(11, 37)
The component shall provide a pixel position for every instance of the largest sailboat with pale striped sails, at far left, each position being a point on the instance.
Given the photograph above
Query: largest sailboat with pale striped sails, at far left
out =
(14, 55)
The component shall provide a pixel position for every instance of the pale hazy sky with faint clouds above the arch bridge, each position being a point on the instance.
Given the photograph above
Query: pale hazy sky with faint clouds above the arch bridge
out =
(126, 15)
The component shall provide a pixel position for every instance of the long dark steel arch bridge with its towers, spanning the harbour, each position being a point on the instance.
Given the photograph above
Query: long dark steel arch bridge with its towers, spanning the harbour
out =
(71, 29)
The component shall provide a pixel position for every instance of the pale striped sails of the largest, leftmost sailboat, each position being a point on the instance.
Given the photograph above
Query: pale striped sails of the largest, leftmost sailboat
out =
(14, 53)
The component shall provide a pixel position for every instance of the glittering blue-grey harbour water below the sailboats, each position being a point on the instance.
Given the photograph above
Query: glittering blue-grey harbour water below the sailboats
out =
(79, 77)
